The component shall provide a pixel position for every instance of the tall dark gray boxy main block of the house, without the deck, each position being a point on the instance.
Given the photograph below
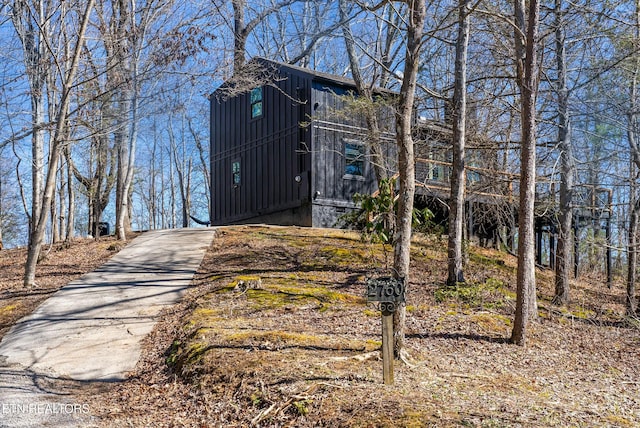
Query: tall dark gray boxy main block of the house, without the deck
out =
(285, 149)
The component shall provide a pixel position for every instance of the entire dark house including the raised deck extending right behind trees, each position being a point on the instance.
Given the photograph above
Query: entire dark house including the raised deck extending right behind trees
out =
(288, 148)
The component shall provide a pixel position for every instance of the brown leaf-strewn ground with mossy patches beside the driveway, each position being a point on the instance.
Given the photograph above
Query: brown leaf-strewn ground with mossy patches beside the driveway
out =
(275, 331)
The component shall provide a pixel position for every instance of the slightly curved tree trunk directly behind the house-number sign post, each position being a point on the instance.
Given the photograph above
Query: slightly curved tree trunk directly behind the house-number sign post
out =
(406, 160)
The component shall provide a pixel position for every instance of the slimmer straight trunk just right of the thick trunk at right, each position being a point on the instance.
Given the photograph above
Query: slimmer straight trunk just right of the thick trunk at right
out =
(567, 169)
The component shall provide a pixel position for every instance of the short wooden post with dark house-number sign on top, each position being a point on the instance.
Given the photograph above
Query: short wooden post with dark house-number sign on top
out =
(389, 292)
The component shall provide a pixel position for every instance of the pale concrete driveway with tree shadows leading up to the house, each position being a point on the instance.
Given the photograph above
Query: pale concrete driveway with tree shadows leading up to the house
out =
(91, 329)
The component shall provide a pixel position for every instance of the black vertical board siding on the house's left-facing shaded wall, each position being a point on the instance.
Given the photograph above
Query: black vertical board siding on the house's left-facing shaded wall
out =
(267, 148)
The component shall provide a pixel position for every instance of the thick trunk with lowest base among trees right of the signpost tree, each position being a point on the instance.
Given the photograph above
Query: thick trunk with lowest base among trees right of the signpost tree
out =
(526, 304)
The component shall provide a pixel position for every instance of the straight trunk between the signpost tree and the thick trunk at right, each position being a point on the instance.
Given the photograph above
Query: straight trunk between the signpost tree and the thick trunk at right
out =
(458, 179)
